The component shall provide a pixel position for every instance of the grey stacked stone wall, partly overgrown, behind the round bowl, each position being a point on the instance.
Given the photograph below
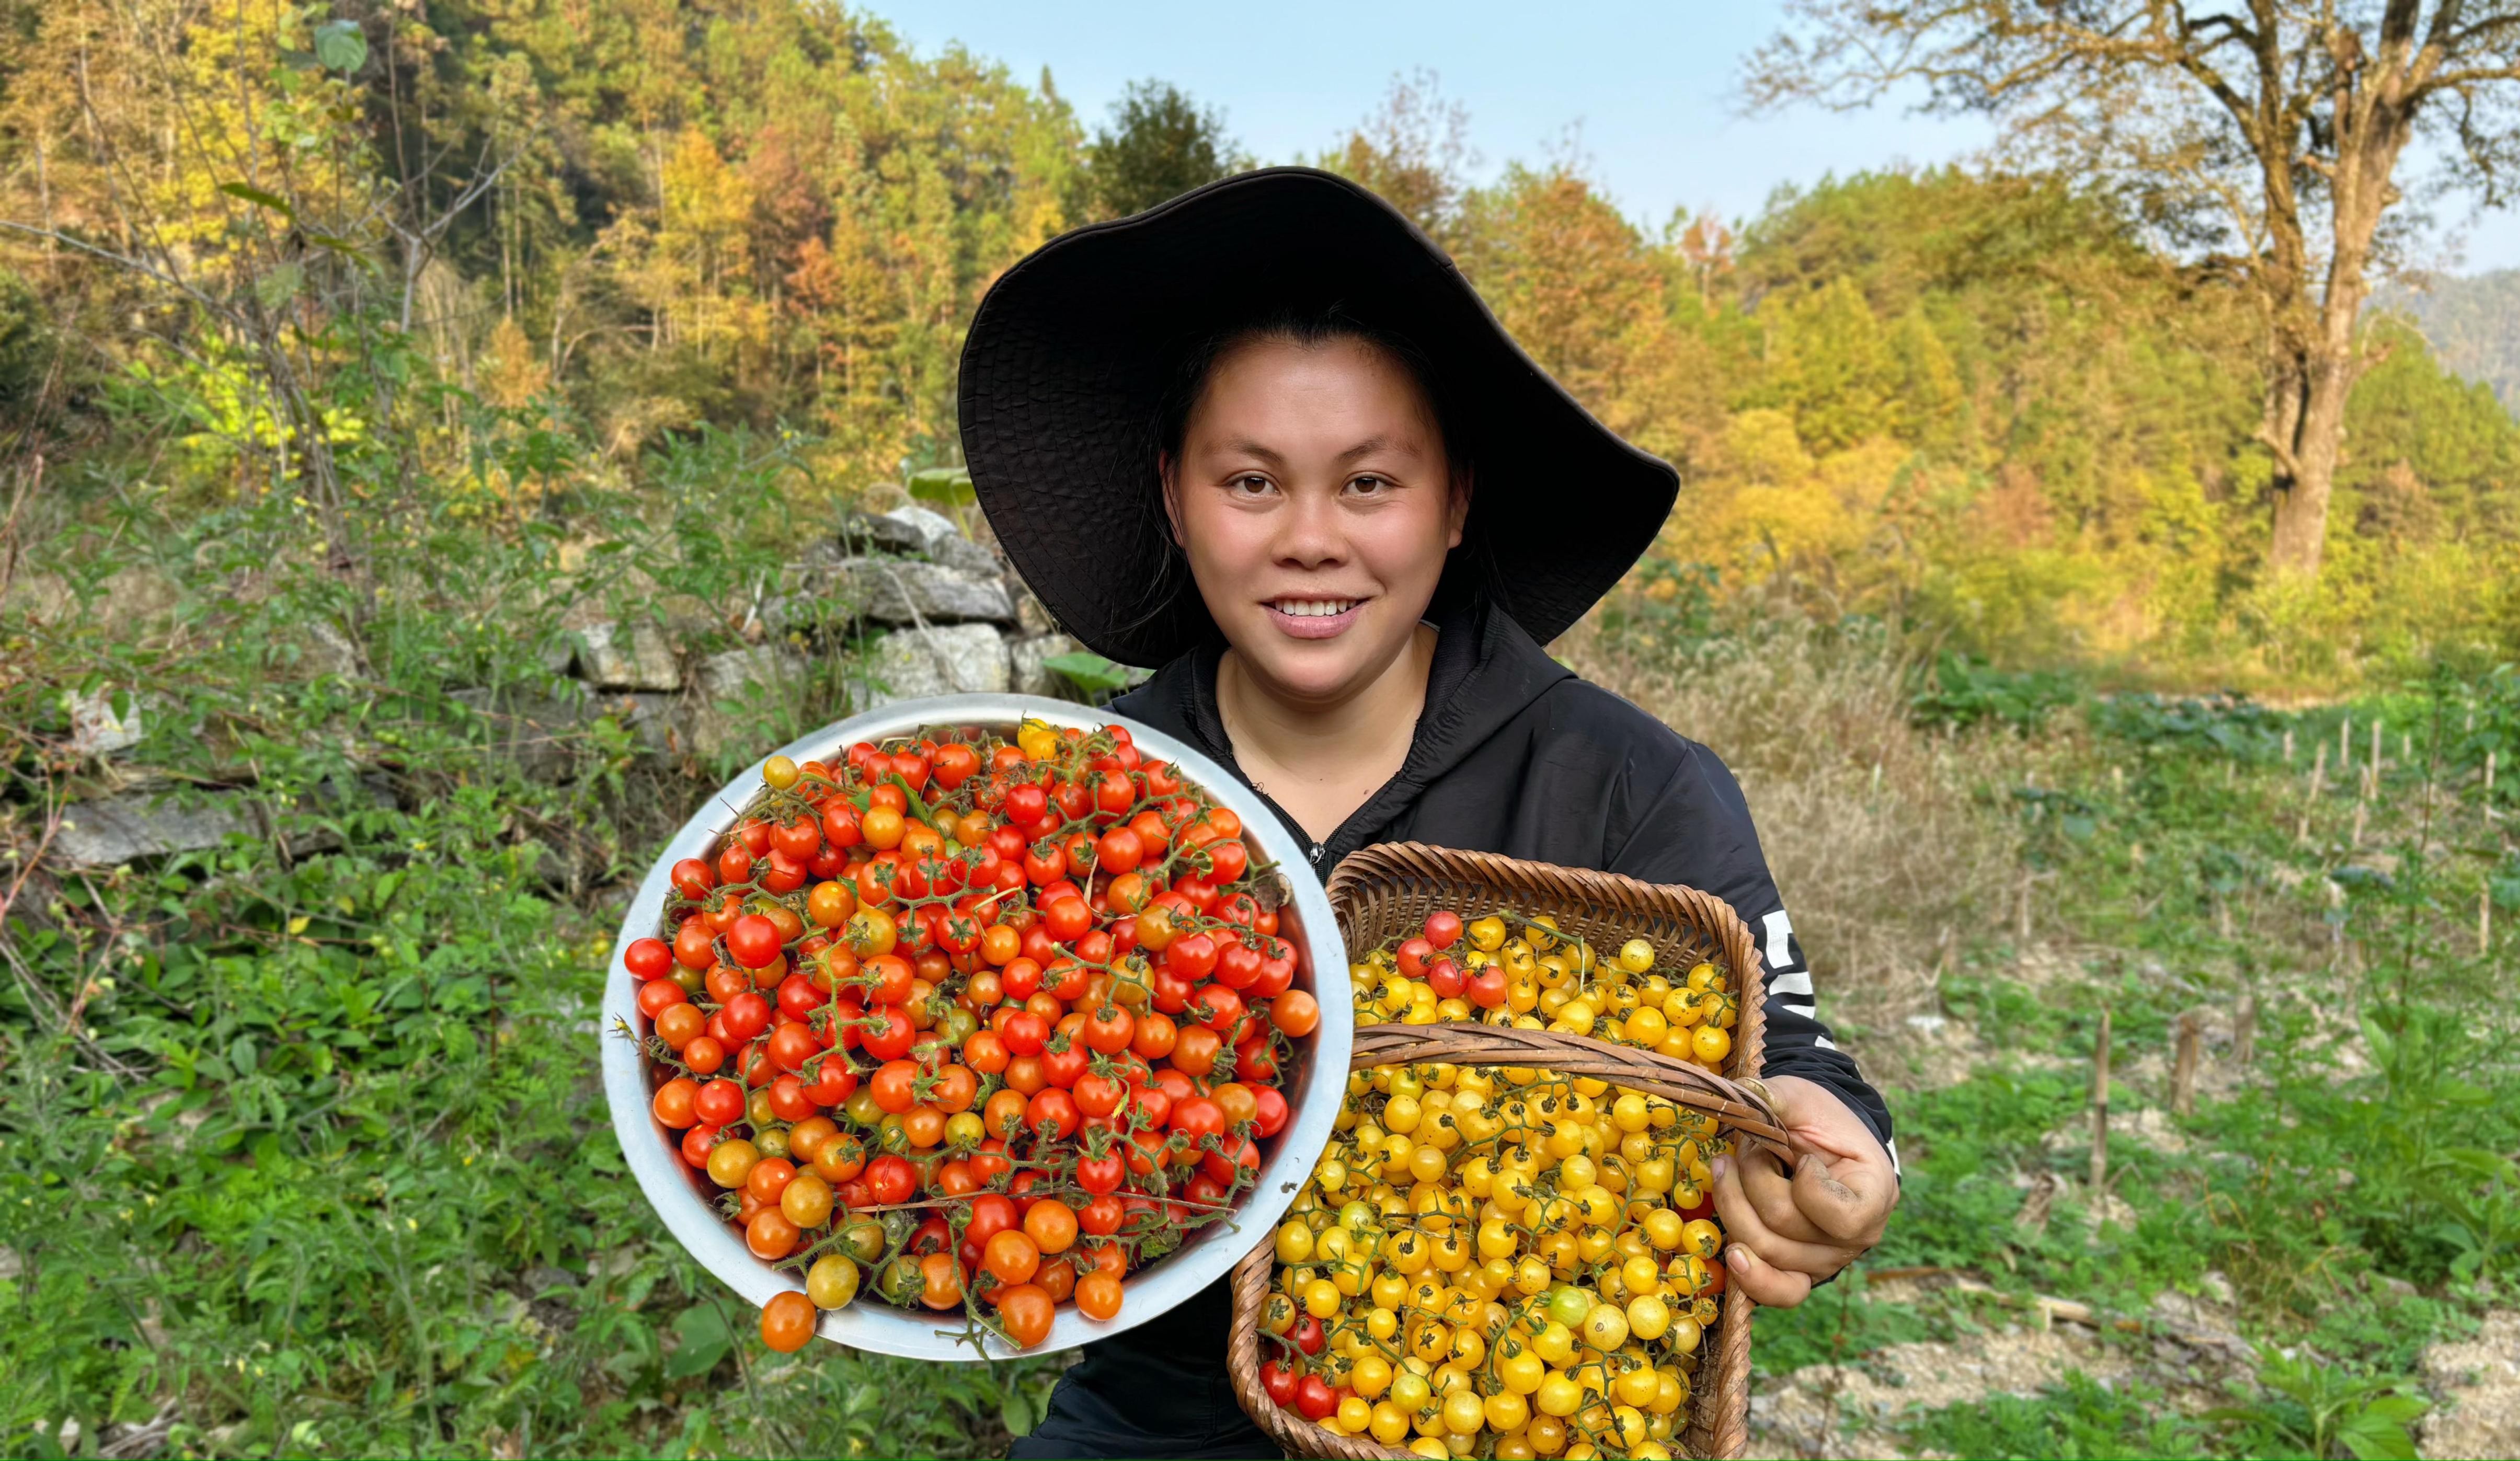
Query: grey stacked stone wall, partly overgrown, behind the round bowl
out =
(931, 613)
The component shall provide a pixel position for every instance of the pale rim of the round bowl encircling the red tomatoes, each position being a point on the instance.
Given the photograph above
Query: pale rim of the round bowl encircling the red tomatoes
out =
(1208, 1258)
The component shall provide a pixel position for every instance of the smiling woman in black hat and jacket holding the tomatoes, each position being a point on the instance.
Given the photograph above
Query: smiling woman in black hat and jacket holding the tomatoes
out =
(1269, 440)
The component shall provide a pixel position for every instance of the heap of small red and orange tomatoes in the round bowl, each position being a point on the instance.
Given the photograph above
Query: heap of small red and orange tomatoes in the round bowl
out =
(971, 1024)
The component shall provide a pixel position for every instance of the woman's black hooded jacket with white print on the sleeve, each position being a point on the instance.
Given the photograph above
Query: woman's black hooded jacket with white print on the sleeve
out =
(1521, 757)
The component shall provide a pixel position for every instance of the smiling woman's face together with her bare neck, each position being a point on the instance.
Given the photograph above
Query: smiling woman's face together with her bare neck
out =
(1314, 492)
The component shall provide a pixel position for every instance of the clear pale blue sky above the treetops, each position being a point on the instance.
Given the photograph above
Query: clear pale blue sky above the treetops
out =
(1644, 92)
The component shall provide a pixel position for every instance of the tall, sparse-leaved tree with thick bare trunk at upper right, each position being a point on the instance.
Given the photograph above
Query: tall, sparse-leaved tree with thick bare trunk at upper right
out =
(2272, 135)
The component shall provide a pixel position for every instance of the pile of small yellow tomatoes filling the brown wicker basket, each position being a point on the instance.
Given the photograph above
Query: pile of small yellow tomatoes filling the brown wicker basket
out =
(1508, 1261)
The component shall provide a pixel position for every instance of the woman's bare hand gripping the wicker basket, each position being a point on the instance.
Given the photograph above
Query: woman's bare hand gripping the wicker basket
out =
(1788, 1231)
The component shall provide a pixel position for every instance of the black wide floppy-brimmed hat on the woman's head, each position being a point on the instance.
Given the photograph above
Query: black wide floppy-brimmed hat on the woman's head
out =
(1077, 346)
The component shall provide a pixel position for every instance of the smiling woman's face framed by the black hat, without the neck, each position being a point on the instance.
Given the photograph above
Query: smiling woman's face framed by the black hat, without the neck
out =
(1314, 505)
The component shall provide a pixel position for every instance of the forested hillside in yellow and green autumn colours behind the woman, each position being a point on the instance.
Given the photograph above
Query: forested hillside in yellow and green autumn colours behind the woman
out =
(1979, 407)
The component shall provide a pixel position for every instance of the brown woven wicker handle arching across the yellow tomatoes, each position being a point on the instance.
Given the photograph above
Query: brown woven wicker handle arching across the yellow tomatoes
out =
(1743, 1107)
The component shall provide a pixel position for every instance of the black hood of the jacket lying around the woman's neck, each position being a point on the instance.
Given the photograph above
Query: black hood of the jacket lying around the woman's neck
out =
(1486, 671)
